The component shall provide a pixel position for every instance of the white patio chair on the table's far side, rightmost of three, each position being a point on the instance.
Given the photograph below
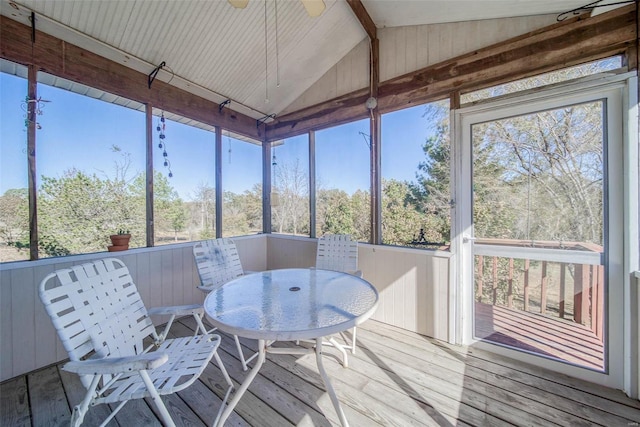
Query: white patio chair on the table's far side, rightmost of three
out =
(338, 252)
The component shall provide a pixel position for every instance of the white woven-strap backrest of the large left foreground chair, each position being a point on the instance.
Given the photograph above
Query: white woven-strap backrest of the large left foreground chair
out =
(96, 307)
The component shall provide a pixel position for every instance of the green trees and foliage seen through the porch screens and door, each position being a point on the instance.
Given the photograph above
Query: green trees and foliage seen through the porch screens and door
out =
(535, 177)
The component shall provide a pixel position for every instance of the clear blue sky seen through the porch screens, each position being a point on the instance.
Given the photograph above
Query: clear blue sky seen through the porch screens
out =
(80, 132)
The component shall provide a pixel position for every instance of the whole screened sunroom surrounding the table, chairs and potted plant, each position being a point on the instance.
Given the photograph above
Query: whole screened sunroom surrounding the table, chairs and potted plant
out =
(483, 154)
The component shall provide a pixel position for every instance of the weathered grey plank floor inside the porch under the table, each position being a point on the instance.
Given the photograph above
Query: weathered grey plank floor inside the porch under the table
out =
(396, 378)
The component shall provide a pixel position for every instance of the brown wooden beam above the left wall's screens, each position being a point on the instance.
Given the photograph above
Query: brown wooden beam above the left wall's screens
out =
(62, 59)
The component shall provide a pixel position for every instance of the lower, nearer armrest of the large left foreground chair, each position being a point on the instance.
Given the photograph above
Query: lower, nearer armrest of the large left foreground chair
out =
(117, 365)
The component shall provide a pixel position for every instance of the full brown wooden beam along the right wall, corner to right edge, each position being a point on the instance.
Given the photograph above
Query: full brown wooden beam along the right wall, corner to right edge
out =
(557, 46)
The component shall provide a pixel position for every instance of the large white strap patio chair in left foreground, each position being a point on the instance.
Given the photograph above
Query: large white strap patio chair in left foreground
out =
(105, 328)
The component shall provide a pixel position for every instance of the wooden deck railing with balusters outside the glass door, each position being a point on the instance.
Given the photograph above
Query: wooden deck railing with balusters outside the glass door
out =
(536, 284)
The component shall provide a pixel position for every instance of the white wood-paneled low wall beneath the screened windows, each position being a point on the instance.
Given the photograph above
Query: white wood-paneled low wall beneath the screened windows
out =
(413, 288)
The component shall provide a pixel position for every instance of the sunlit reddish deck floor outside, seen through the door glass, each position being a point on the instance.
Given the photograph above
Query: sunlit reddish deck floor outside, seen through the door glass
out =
(552, 337)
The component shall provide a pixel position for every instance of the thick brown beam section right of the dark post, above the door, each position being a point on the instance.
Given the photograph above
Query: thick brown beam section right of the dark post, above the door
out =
(556, 46)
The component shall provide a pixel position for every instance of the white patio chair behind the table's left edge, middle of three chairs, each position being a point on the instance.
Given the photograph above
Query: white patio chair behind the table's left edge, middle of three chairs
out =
(218, 263)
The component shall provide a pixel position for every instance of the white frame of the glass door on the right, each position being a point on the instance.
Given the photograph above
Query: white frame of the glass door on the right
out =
(622, 191)
